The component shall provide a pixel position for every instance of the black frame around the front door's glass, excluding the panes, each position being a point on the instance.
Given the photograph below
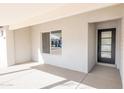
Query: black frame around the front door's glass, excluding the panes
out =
(113, 48)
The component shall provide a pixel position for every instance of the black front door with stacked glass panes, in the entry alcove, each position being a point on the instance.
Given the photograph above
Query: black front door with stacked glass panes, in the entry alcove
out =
(106, 45)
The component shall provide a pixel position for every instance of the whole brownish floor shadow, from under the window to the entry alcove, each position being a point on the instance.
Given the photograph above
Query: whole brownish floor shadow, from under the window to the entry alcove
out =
(100, 77)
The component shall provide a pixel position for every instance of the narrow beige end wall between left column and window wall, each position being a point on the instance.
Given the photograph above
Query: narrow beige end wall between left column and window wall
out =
(22, 39)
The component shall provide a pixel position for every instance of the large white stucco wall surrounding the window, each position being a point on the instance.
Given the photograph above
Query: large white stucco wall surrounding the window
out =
(73, 43)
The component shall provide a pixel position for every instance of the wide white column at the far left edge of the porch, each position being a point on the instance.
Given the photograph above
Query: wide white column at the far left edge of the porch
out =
(7, 57)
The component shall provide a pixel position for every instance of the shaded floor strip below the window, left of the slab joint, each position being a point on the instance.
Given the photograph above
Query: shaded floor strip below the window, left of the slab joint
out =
(65, 73)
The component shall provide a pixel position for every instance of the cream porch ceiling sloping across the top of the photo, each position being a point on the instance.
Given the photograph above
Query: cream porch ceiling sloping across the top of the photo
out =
(20, 15)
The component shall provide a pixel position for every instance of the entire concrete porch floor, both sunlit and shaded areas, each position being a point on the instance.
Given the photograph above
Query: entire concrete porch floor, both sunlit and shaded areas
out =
(37, 76)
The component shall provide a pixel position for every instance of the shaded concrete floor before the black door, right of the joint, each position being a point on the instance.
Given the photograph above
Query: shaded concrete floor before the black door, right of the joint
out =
(103, 77)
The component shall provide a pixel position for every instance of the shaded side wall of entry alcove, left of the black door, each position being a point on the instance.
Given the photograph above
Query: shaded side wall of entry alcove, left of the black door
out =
(91, 46)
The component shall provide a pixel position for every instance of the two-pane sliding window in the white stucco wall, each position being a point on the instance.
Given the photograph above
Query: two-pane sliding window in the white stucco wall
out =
(52, 42)
